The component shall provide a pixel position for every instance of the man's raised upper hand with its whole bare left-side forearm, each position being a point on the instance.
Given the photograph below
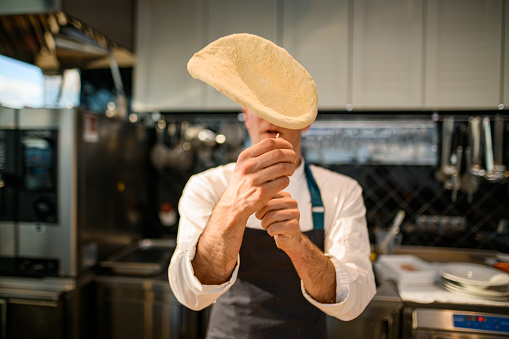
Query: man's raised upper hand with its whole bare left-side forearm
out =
(261, 171)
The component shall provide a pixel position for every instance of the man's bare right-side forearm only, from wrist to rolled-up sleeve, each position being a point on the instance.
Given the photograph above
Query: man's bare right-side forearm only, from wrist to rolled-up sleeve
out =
(316, 271)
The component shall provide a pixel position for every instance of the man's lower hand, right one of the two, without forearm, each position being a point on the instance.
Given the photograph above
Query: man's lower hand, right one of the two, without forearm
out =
(280, 217)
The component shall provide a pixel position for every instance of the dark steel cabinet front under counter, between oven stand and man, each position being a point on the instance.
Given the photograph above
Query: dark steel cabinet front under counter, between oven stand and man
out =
(150, 301)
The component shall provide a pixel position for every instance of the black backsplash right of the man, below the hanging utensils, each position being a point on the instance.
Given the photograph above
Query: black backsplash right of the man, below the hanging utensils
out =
(388, 189)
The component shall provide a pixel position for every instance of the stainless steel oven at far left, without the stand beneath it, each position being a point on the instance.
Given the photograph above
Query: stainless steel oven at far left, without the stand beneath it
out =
(71, 193)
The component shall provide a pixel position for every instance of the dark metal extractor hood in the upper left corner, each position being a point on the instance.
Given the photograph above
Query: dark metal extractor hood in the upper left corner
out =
(62, 34)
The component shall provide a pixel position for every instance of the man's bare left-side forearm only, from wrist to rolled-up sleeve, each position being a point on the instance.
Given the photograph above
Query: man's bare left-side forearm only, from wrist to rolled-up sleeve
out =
(218, 247)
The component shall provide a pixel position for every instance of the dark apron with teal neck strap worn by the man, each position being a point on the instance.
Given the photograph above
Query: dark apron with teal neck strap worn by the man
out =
(266, 301)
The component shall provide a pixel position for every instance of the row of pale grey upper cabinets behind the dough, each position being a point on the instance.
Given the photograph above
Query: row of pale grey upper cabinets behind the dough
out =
(395, 55)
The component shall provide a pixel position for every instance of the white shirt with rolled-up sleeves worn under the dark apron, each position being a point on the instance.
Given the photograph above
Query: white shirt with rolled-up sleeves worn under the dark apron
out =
(345, 232)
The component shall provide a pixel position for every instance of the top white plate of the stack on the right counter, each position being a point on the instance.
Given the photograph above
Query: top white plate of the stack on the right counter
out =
(474, 274)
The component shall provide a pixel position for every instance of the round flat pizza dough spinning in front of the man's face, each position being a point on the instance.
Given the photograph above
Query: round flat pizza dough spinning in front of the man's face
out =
(259, 75)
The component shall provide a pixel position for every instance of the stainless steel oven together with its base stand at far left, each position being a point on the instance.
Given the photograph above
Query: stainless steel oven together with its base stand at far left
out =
(71, 194)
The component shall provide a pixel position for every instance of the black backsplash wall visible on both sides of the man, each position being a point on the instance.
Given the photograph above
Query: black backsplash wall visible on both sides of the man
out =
(387, 188)
